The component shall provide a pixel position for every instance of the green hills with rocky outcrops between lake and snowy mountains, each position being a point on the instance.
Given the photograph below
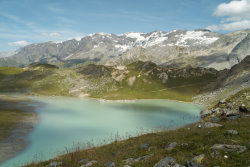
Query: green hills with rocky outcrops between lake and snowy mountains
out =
(133, 81)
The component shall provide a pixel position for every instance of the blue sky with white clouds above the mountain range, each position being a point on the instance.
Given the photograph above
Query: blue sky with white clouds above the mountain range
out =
(23, 22)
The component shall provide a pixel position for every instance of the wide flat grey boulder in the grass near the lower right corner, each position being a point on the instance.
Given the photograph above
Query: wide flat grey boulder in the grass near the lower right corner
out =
(229, 148)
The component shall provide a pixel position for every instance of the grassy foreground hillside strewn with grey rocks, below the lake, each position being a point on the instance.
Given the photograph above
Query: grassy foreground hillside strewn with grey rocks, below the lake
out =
(221, 138)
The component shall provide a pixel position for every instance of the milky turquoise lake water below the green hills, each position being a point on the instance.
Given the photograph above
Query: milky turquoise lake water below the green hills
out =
(68, 121)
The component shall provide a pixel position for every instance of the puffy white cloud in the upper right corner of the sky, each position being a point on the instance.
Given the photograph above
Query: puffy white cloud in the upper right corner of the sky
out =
(235, 15)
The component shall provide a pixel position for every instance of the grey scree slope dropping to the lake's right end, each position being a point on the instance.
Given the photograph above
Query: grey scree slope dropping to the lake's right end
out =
(228, 83)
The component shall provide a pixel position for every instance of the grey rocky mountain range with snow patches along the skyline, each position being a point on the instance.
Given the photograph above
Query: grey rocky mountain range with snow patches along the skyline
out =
(179, 48)
